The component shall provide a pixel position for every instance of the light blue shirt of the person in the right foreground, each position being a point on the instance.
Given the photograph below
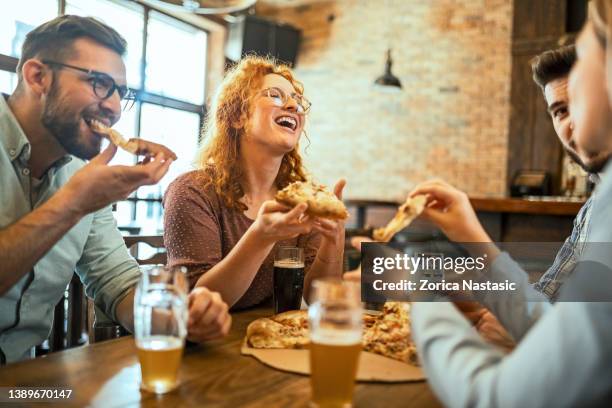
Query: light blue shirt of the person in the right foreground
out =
(564, 352)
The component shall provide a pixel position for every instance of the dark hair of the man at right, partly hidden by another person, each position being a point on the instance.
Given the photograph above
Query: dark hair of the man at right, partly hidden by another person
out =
(553, 64)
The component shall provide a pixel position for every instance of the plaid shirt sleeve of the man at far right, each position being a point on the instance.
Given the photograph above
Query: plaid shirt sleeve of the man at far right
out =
(565, 261)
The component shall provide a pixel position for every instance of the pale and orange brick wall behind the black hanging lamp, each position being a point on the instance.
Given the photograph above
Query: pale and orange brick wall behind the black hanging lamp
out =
(449, 121)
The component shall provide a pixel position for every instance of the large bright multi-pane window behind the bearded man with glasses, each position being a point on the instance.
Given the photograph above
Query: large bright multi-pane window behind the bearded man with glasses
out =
(168, 75)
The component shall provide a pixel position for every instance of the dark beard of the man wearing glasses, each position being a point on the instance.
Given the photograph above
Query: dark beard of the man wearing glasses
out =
(64, 124)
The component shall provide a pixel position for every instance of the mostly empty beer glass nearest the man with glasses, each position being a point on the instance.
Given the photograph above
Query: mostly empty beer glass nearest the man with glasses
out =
(160, 325)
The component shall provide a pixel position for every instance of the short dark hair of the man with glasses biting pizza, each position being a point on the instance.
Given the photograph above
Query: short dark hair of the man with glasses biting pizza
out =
(53, 40)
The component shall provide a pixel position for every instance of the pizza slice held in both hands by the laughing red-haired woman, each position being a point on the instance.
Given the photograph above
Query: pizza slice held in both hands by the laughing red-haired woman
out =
(321, 202)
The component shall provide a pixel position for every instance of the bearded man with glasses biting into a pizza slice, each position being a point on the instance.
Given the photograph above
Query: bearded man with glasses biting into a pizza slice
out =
(55, 212)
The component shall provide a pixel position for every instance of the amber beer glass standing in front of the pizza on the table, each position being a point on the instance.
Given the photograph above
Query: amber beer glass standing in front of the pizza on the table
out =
(335, 320)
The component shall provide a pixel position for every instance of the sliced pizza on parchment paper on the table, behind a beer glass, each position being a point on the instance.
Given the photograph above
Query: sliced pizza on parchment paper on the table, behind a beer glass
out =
(386, 334)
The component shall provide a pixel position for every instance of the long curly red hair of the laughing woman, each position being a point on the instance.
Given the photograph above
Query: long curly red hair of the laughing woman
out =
(226, 122)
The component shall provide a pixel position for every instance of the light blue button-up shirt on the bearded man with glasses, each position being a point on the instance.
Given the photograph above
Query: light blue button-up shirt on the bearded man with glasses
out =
(93, 248)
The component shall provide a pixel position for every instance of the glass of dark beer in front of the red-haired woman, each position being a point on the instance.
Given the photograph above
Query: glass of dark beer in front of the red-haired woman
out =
(288, 278)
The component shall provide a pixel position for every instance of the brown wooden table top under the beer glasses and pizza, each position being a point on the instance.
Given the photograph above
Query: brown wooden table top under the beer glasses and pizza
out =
(106, 374)
